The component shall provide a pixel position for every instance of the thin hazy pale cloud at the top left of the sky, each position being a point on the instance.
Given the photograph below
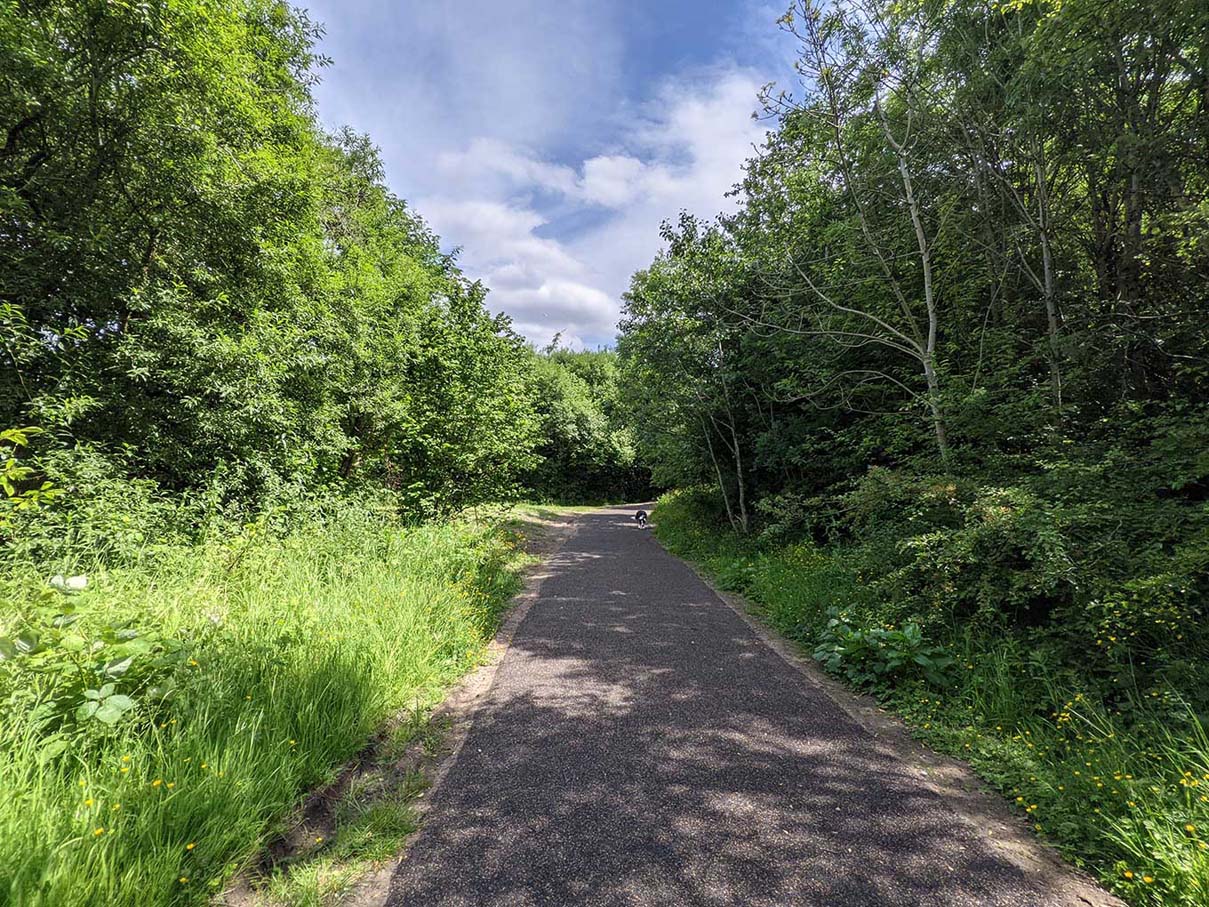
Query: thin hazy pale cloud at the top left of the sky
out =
(421, 77)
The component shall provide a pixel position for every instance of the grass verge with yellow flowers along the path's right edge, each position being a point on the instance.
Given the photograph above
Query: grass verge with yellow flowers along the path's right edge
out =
(1123, 792)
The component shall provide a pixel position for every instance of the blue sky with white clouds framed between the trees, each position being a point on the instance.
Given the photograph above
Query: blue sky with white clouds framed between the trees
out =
(548, 140)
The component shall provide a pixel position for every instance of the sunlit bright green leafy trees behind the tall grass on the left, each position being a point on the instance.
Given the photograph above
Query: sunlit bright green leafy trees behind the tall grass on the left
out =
(206, 291)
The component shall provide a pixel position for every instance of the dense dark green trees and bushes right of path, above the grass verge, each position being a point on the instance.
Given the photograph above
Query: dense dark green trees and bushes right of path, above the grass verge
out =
(959, 316)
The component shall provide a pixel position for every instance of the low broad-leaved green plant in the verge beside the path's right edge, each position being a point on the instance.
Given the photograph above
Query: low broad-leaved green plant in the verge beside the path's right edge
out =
(876, 657)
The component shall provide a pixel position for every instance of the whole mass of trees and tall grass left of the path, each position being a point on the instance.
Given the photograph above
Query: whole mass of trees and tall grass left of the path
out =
(247, 361)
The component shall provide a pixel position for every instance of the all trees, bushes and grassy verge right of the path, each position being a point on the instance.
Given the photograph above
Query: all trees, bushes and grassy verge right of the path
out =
(945, 367)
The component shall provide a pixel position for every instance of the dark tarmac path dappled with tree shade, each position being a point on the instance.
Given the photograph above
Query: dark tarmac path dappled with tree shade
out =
(643, 746)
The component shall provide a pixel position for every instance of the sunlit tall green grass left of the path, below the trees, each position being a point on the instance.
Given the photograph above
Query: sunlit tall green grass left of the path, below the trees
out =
(280, 657)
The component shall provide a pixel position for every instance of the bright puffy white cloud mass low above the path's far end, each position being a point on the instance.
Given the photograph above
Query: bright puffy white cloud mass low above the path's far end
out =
(685, 153)
